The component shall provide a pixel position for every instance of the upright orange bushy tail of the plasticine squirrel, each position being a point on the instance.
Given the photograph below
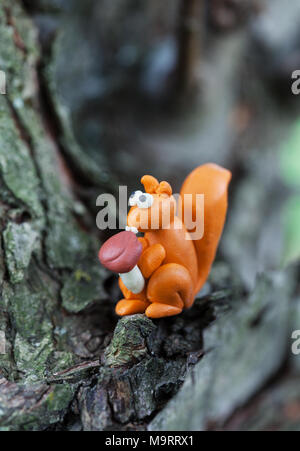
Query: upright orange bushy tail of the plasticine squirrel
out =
(212, 181)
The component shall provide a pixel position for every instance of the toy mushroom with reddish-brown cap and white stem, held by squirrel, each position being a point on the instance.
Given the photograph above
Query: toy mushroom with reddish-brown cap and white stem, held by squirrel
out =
(120, 254)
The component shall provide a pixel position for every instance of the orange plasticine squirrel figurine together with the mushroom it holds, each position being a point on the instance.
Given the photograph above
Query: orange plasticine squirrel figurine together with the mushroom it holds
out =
(161, 272)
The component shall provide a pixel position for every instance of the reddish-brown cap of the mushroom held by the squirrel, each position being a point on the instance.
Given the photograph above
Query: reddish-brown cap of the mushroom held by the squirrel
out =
(121, 252)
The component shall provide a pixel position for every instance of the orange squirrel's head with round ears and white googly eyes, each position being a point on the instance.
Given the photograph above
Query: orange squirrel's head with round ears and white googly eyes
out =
(152, 209)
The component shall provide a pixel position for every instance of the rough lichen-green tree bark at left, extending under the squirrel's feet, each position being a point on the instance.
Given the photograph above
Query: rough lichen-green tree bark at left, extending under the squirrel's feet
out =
(56, 319)
